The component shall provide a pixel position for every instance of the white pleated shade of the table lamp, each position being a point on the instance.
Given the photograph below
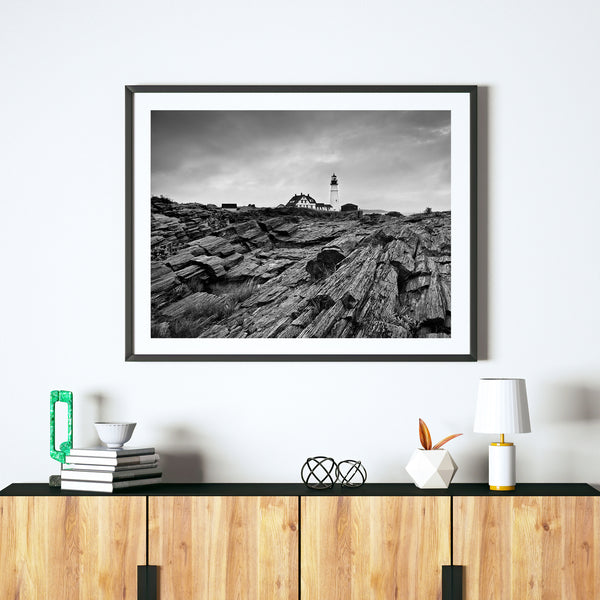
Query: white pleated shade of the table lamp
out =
(502, 407)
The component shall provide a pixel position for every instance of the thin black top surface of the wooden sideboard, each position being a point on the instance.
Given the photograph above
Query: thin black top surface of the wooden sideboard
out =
(299, 489)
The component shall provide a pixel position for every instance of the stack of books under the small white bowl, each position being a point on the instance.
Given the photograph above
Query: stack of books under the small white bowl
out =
(105, 470)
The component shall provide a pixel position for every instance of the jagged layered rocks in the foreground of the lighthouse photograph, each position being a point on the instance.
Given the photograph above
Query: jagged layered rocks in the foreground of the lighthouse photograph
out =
(293, 273)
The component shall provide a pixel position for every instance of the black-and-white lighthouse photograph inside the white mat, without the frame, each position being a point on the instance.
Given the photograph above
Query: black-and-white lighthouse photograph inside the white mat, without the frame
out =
(279, 224)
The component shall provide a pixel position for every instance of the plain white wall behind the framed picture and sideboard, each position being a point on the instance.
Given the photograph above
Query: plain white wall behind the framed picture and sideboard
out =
(63, 68)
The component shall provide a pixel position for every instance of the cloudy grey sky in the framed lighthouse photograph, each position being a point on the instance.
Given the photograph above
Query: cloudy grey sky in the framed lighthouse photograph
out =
(387, 160)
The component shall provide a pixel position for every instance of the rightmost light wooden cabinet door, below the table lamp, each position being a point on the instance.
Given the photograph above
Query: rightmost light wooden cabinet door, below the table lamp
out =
(528, 548)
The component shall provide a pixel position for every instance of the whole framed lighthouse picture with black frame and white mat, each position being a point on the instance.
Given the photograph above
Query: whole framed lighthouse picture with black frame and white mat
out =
(304, 223)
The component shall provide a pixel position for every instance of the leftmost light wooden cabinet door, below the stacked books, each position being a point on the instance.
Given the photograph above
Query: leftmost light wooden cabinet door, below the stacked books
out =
(71, 547)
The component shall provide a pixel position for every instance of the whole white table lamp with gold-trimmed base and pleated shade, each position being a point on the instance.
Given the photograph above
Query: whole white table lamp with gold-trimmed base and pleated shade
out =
(502, 408)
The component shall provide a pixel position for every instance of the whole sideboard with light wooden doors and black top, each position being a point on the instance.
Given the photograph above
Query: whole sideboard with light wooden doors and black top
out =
(286, 542)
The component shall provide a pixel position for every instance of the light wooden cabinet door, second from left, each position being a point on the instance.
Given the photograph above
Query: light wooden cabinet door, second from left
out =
(225, 548)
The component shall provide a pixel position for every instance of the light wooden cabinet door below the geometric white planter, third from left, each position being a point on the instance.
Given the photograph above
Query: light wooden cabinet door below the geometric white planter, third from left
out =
(374, 548)
